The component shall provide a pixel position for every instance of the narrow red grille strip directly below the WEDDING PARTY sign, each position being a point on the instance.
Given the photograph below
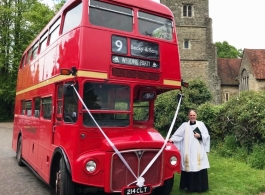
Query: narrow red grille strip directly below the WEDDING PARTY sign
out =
(119, 72)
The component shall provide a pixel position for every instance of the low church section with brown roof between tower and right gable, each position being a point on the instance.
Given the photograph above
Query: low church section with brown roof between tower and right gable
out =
(228, 69)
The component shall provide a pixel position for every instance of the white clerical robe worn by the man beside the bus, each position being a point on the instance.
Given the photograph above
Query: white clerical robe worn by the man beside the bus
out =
(193, 151)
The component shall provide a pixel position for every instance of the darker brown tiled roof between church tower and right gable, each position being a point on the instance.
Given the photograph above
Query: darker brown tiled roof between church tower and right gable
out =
(228, 69)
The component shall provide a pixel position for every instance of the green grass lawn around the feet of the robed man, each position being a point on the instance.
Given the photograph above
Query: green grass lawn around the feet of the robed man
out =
(227, 176)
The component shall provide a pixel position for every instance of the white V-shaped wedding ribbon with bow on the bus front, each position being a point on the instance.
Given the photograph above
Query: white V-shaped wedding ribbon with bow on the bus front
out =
(140, 180)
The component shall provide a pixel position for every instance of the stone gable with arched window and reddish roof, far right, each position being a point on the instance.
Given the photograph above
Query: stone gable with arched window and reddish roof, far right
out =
(252, 70)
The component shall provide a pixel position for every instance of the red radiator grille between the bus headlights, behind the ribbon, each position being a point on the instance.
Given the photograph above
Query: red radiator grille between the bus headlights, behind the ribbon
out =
(138, 161)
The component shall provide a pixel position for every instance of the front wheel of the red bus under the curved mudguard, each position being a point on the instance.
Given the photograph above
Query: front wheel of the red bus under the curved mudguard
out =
(64, 184)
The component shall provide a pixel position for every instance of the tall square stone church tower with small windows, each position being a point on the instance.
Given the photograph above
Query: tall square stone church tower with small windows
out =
(197, 51)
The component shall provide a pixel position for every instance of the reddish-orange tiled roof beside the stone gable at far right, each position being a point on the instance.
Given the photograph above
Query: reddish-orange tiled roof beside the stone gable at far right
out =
(257, 60)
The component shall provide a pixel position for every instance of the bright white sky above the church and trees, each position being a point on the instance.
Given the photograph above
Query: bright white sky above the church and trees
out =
(239, 22)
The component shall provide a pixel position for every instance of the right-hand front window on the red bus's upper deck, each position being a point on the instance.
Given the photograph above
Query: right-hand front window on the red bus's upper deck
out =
(155, 26)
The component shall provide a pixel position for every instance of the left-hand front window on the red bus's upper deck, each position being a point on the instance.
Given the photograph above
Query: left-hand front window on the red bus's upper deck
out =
(110, 16)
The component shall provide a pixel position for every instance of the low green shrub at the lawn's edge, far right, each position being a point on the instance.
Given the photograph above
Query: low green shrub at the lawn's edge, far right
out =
(256, 158)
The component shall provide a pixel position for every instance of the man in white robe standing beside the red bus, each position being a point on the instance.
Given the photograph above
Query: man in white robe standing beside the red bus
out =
(193, 141)
